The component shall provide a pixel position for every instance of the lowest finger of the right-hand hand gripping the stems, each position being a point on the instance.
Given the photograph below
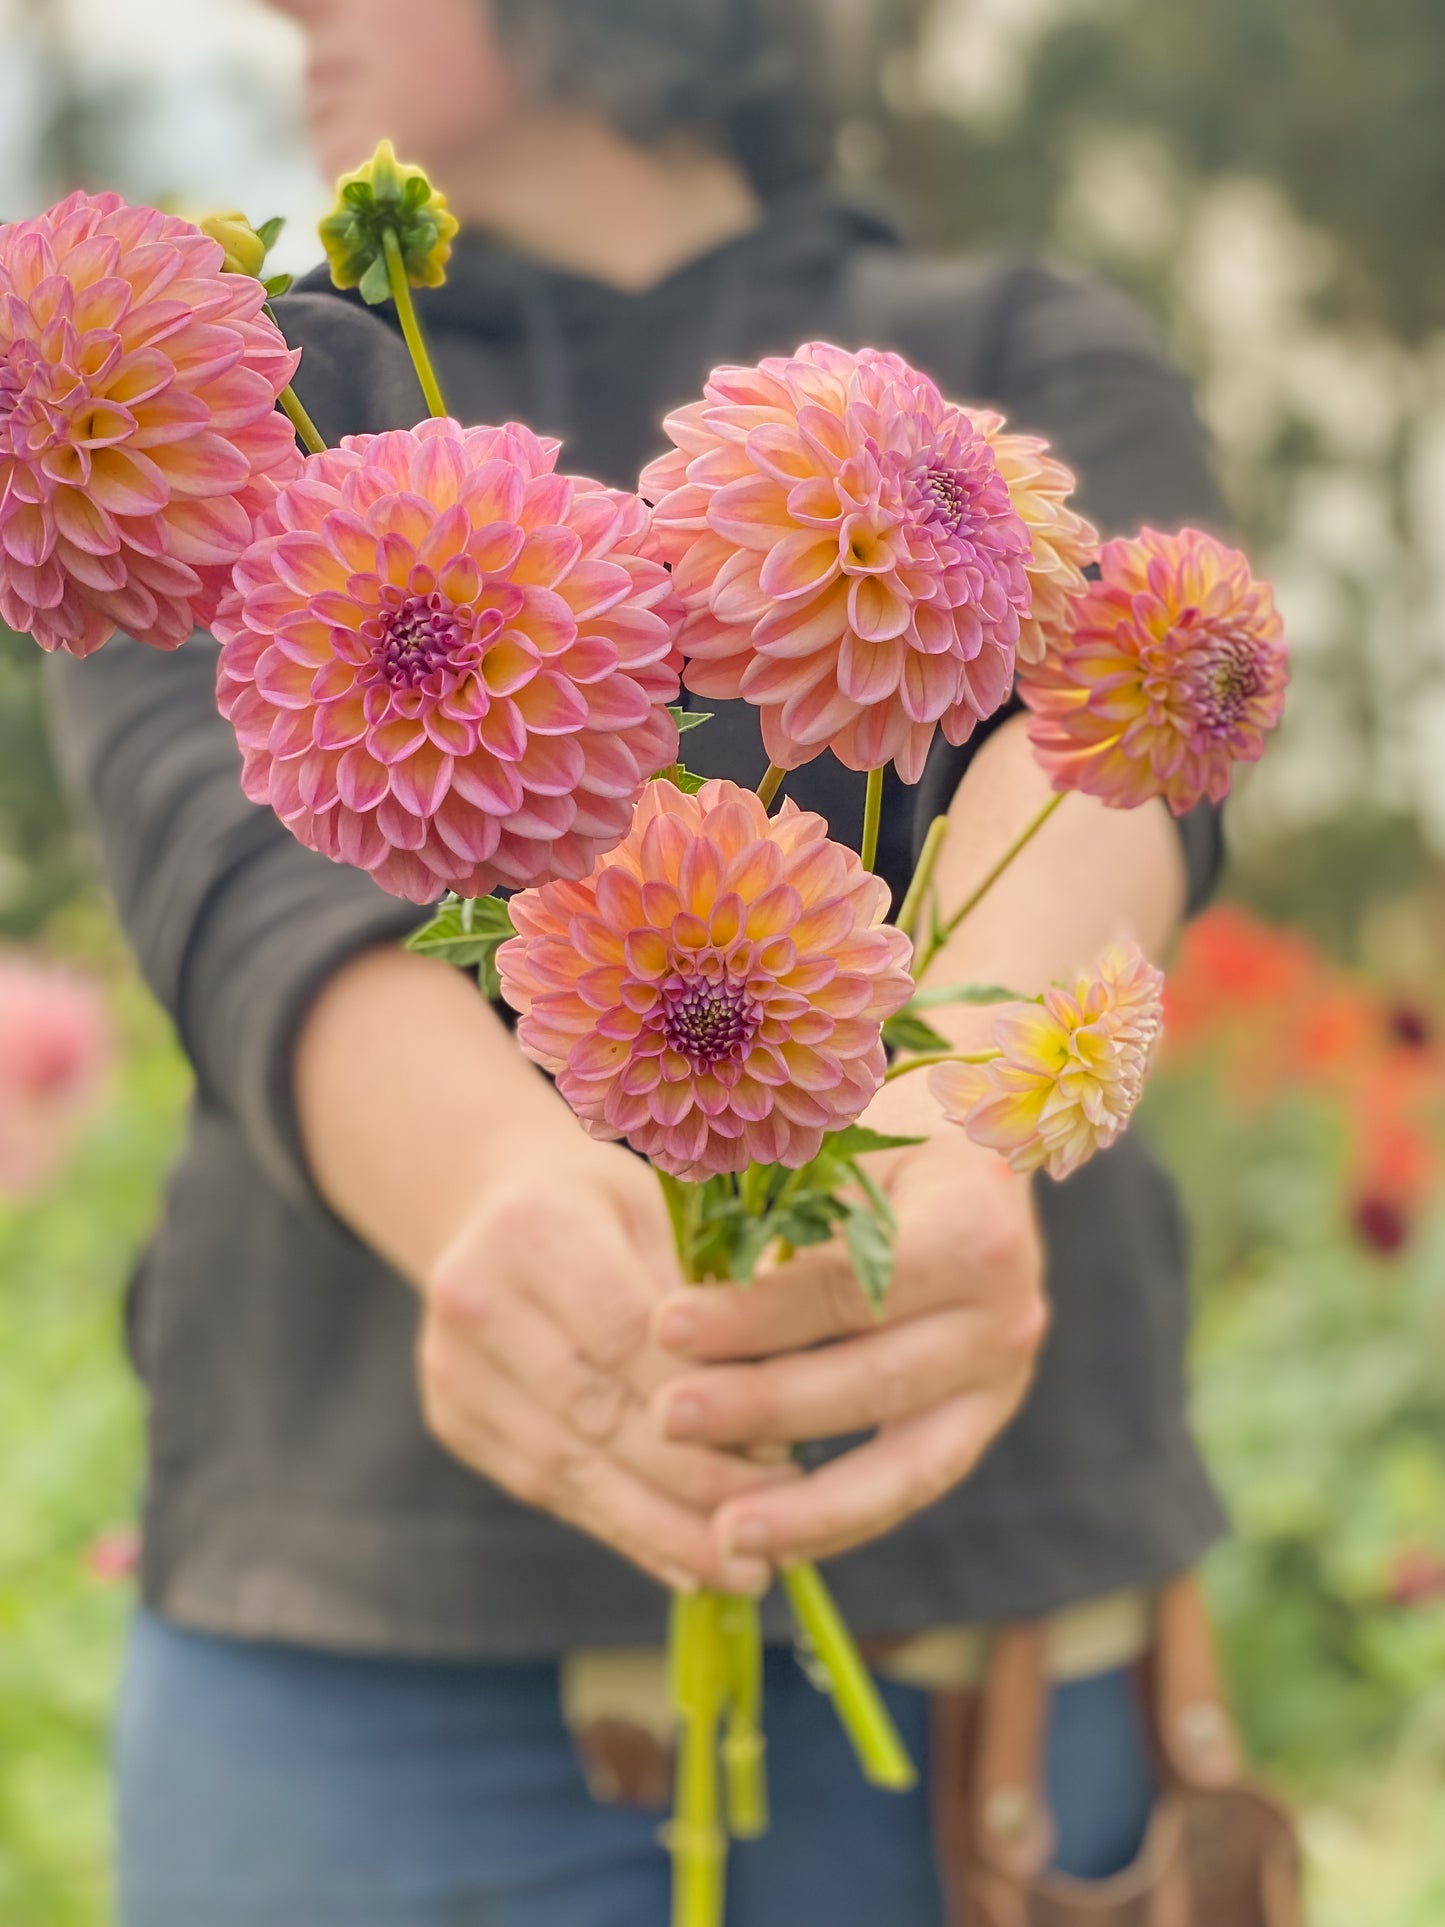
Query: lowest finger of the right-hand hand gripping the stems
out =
(870, 1491)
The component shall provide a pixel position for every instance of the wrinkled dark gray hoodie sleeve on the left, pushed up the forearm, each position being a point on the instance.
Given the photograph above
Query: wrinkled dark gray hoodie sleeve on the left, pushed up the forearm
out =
(236, 926)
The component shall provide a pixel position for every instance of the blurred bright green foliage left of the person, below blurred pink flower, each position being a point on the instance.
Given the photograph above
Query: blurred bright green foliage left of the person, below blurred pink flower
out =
(70, 1433)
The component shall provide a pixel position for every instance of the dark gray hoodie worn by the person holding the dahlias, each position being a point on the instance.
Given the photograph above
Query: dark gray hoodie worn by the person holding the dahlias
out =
(294, 1491)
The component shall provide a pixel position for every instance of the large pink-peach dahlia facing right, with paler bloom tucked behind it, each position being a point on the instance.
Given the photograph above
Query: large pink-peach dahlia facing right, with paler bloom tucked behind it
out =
(847, 552)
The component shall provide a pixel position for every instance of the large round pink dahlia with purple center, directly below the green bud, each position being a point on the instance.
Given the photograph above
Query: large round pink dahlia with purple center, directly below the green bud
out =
(448, 664)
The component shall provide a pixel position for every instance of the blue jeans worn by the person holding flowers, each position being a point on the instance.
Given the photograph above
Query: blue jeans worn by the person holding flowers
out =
(275, 1787)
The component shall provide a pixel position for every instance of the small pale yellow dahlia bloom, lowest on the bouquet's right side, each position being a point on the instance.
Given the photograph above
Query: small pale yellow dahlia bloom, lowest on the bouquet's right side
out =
(1068, 1072)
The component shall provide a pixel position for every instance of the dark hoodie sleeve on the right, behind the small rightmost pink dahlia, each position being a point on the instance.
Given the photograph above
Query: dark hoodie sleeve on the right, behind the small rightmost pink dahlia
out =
(1078, 363)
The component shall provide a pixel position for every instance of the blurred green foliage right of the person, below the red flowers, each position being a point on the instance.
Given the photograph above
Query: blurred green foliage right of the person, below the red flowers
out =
(1323, 1412)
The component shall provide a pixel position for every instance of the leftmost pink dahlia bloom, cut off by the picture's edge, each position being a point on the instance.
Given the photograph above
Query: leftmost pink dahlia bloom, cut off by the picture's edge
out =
(140, 435)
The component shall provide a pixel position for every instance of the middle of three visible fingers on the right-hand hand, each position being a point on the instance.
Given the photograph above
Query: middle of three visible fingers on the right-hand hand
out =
(851, 1386)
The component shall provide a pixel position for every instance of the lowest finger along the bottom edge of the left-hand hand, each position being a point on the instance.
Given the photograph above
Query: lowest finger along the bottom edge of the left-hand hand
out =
(498, 1431)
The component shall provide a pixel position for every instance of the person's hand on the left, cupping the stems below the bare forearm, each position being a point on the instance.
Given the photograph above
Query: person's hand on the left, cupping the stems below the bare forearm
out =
(537, 1359)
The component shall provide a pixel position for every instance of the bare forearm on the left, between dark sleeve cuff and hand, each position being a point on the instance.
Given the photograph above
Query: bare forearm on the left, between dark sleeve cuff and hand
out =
(411, 1097)
